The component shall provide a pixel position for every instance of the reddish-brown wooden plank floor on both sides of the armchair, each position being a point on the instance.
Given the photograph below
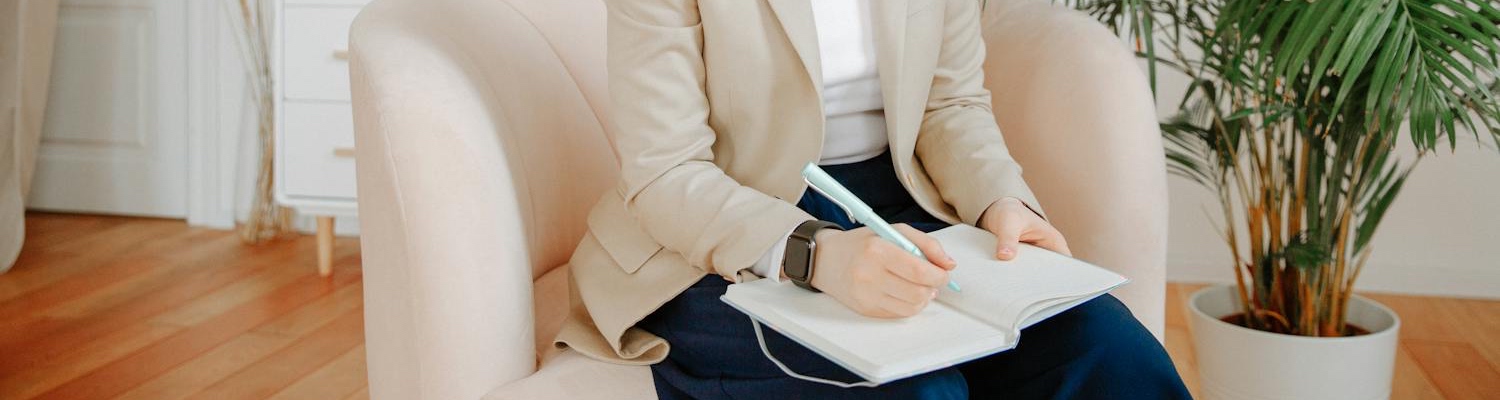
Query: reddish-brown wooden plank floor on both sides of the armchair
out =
(116, 308)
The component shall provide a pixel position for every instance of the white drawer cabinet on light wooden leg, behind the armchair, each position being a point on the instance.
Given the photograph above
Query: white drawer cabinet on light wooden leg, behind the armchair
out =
(314, 119)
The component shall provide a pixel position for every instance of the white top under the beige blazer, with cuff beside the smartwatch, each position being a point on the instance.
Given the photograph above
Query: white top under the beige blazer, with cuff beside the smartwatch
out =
(854, 127)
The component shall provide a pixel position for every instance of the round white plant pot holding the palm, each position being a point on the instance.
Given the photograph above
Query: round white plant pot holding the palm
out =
(1243, 363)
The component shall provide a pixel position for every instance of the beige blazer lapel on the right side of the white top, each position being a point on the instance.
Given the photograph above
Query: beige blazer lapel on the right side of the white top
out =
(890, 55)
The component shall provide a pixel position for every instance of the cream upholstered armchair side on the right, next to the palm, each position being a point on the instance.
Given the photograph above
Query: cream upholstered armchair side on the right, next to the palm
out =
(1079, 118)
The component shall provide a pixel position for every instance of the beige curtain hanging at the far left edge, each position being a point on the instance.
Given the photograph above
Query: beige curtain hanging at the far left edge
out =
(28, 29)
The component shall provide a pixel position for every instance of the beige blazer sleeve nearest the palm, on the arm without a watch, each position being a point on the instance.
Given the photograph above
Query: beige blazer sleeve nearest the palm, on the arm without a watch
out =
(961, 145)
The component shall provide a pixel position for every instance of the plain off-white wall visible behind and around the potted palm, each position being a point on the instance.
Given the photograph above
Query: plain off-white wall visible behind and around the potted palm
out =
(1441, 237)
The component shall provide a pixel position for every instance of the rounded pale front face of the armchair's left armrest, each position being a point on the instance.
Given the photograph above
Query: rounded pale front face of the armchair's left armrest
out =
(448, 275)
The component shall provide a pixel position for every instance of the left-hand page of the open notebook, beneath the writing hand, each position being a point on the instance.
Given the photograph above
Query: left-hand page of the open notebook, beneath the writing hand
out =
(877, 350)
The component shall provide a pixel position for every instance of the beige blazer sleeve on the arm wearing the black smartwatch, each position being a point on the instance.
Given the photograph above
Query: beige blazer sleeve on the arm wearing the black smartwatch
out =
(670, 181)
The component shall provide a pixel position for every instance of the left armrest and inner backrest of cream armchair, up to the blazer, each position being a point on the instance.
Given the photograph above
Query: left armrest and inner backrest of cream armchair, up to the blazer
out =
(479, 157)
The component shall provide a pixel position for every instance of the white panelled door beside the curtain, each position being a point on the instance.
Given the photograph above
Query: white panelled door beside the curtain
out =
(115, 139)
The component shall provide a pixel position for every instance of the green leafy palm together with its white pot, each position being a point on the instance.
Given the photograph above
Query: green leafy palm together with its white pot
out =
(1292, 118)
